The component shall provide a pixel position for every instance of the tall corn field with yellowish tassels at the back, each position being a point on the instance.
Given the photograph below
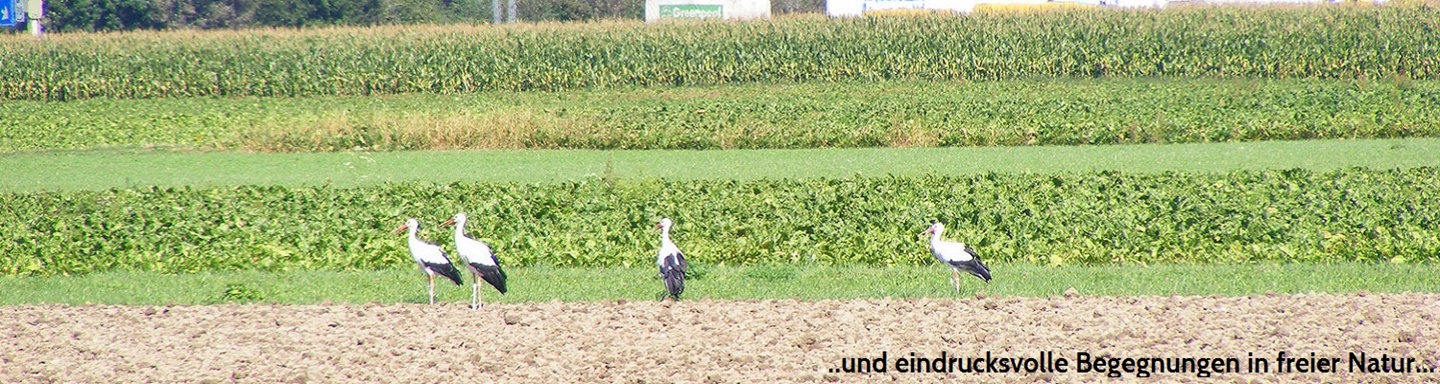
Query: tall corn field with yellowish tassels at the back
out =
(1232, 42)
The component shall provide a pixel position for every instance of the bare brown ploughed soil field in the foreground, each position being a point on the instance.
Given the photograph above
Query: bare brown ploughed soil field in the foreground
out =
(701, 342)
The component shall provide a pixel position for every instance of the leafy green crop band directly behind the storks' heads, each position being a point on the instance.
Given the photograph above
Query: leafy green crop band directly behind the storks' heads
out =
(1097, 218)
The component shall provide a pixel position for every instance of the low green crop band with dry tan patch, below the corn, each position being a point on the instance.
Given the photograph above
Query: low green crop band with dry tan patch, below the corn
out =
(796, 116)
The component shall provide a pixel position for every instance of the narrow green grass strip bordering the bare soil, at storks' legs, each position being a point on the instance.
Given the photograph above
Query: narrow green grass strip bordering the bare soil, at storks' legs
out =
(724, 283)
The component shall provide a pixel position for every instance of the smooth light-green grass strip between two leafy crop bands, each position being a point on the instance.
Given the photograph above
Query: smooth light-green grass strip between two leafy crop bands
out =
(113, 169)
